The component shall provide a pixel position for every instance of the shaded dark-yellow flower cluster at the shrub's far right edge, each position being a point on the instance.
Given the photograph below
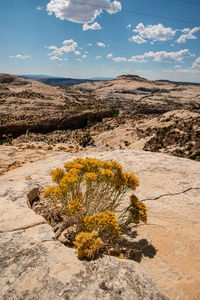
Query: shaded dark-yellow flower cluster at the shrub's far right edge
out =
(138, 210)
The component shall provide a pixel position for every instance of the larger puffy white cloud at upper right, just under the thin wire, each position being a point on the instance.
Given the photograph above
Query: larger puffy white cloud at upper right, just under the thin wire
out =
(155, 32)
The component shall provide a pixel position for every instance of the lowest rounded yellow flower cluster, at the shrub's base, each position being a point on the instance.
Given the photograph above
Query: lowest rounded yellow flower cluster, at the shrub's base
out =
(88, 244)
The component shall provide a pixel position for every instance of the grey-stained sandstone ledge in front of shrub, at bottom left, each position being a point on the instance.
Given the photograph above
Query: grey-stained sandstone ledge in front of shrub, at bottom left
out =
(35, 266)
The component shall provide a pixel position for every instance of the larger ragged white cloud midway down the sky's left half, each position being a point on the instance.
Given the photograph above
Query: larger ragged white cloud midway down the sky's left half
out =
(68, 46)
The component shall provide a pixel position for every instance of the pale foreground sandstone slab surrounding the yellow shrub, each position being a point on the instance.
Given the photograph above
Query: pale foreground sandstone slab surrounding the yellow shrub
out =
(36, 266)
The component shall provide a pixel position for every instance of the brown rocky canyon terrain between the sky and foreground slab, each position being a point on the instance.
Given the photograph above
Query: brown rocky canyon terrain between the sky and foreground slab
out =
(160, 116)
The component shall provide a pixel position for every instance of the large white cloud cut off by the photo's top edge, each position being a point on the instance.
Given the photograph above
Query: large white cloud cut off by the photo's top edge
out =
(82, 11)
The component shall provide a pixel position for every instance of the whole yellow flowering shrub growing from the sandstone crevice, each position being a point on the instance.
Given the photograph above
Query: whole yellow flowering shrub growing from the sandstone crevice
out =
(89, 192)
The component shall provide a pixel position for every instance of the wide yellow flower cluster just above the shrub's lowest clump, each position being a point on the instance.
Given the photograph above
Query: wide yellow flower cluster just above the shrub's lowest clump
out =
(105, 223)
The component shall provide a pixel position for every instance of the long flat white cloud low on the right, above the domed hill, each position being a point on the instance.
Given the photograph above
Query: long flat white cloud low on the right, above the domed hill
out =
(162, 56)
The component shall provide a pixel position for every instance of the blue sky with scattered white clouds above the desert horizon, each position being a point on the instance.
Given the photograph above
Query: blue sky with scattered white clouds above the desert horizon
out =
(155, 39)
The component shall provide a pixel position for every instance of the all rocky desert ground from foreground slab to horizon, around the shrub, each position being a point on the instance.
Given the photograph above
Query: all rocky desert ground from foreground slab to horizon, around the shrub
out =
(152, 128)
